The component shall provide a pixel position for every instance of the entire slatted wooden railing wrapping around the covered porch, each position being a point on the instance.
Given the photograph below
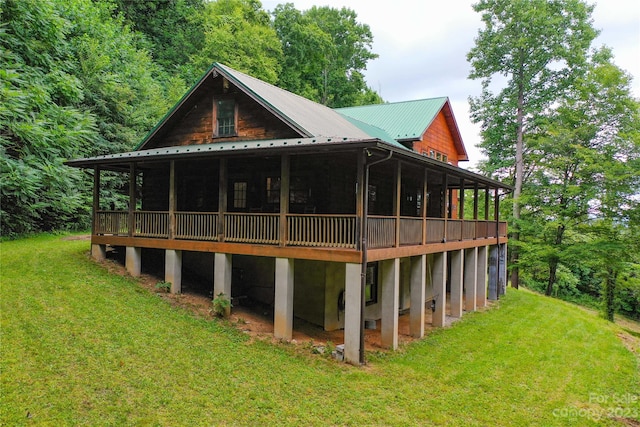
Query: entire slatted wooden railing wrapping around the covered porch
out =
(327, 231)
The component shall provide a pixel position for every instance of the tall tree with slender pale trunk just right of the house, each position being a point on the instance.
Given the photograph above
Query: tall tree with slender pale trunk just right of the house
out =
(532, 46)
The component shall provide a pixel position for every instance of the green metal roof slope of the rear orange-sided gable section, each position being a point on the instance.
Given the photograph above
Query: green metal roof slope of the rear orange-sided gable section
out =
(401, 120)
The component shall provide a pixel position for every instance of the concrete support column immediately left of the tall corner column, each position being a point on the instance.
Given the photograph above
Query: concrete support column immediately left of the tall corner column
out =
(283, 304)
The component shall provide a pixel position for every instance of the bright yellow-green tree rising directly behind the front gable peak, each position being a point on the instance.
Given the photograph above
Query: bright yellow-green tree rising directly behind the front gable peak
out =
(238, 33)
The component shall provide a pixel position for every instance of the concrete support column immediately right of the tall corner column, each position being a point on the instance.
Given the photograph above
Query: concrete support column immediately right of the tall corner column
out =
(390, 302)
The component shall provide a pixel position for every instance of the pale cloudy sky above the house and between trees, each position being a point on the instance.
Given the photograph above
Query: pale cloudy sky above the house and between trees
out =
(423, 45)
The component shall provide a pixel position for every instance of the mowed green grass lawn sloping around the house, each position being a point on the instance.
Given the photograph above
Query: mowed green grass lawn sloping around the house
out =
(81, 346)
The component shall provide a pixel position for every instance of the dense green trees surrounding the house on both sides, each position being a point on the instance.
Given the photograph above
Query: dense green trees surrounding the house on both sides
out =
(82, 78)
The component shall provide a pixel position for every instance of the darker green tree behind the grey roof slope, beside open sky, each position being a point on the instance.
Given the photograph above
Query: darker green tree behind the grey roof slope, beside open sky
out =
(325, 53)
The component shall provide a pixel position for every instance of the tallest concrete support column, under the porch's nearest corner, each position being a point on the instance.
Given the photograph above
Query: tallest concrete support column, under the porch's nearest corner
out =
(352, 314)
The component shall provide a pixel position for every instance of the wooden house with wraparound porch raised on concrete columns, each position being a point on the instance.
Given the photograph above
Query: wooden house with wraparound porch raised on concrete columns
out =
(333, 216)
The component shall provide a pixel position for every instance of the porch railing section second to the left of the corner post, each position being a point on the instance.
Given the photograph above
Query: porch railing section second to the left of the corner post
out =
(252, 228)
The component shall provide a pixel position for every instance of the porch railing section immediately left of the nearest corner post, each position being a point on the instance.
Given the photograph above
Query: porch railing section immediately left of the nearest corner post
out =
(329, 231)
